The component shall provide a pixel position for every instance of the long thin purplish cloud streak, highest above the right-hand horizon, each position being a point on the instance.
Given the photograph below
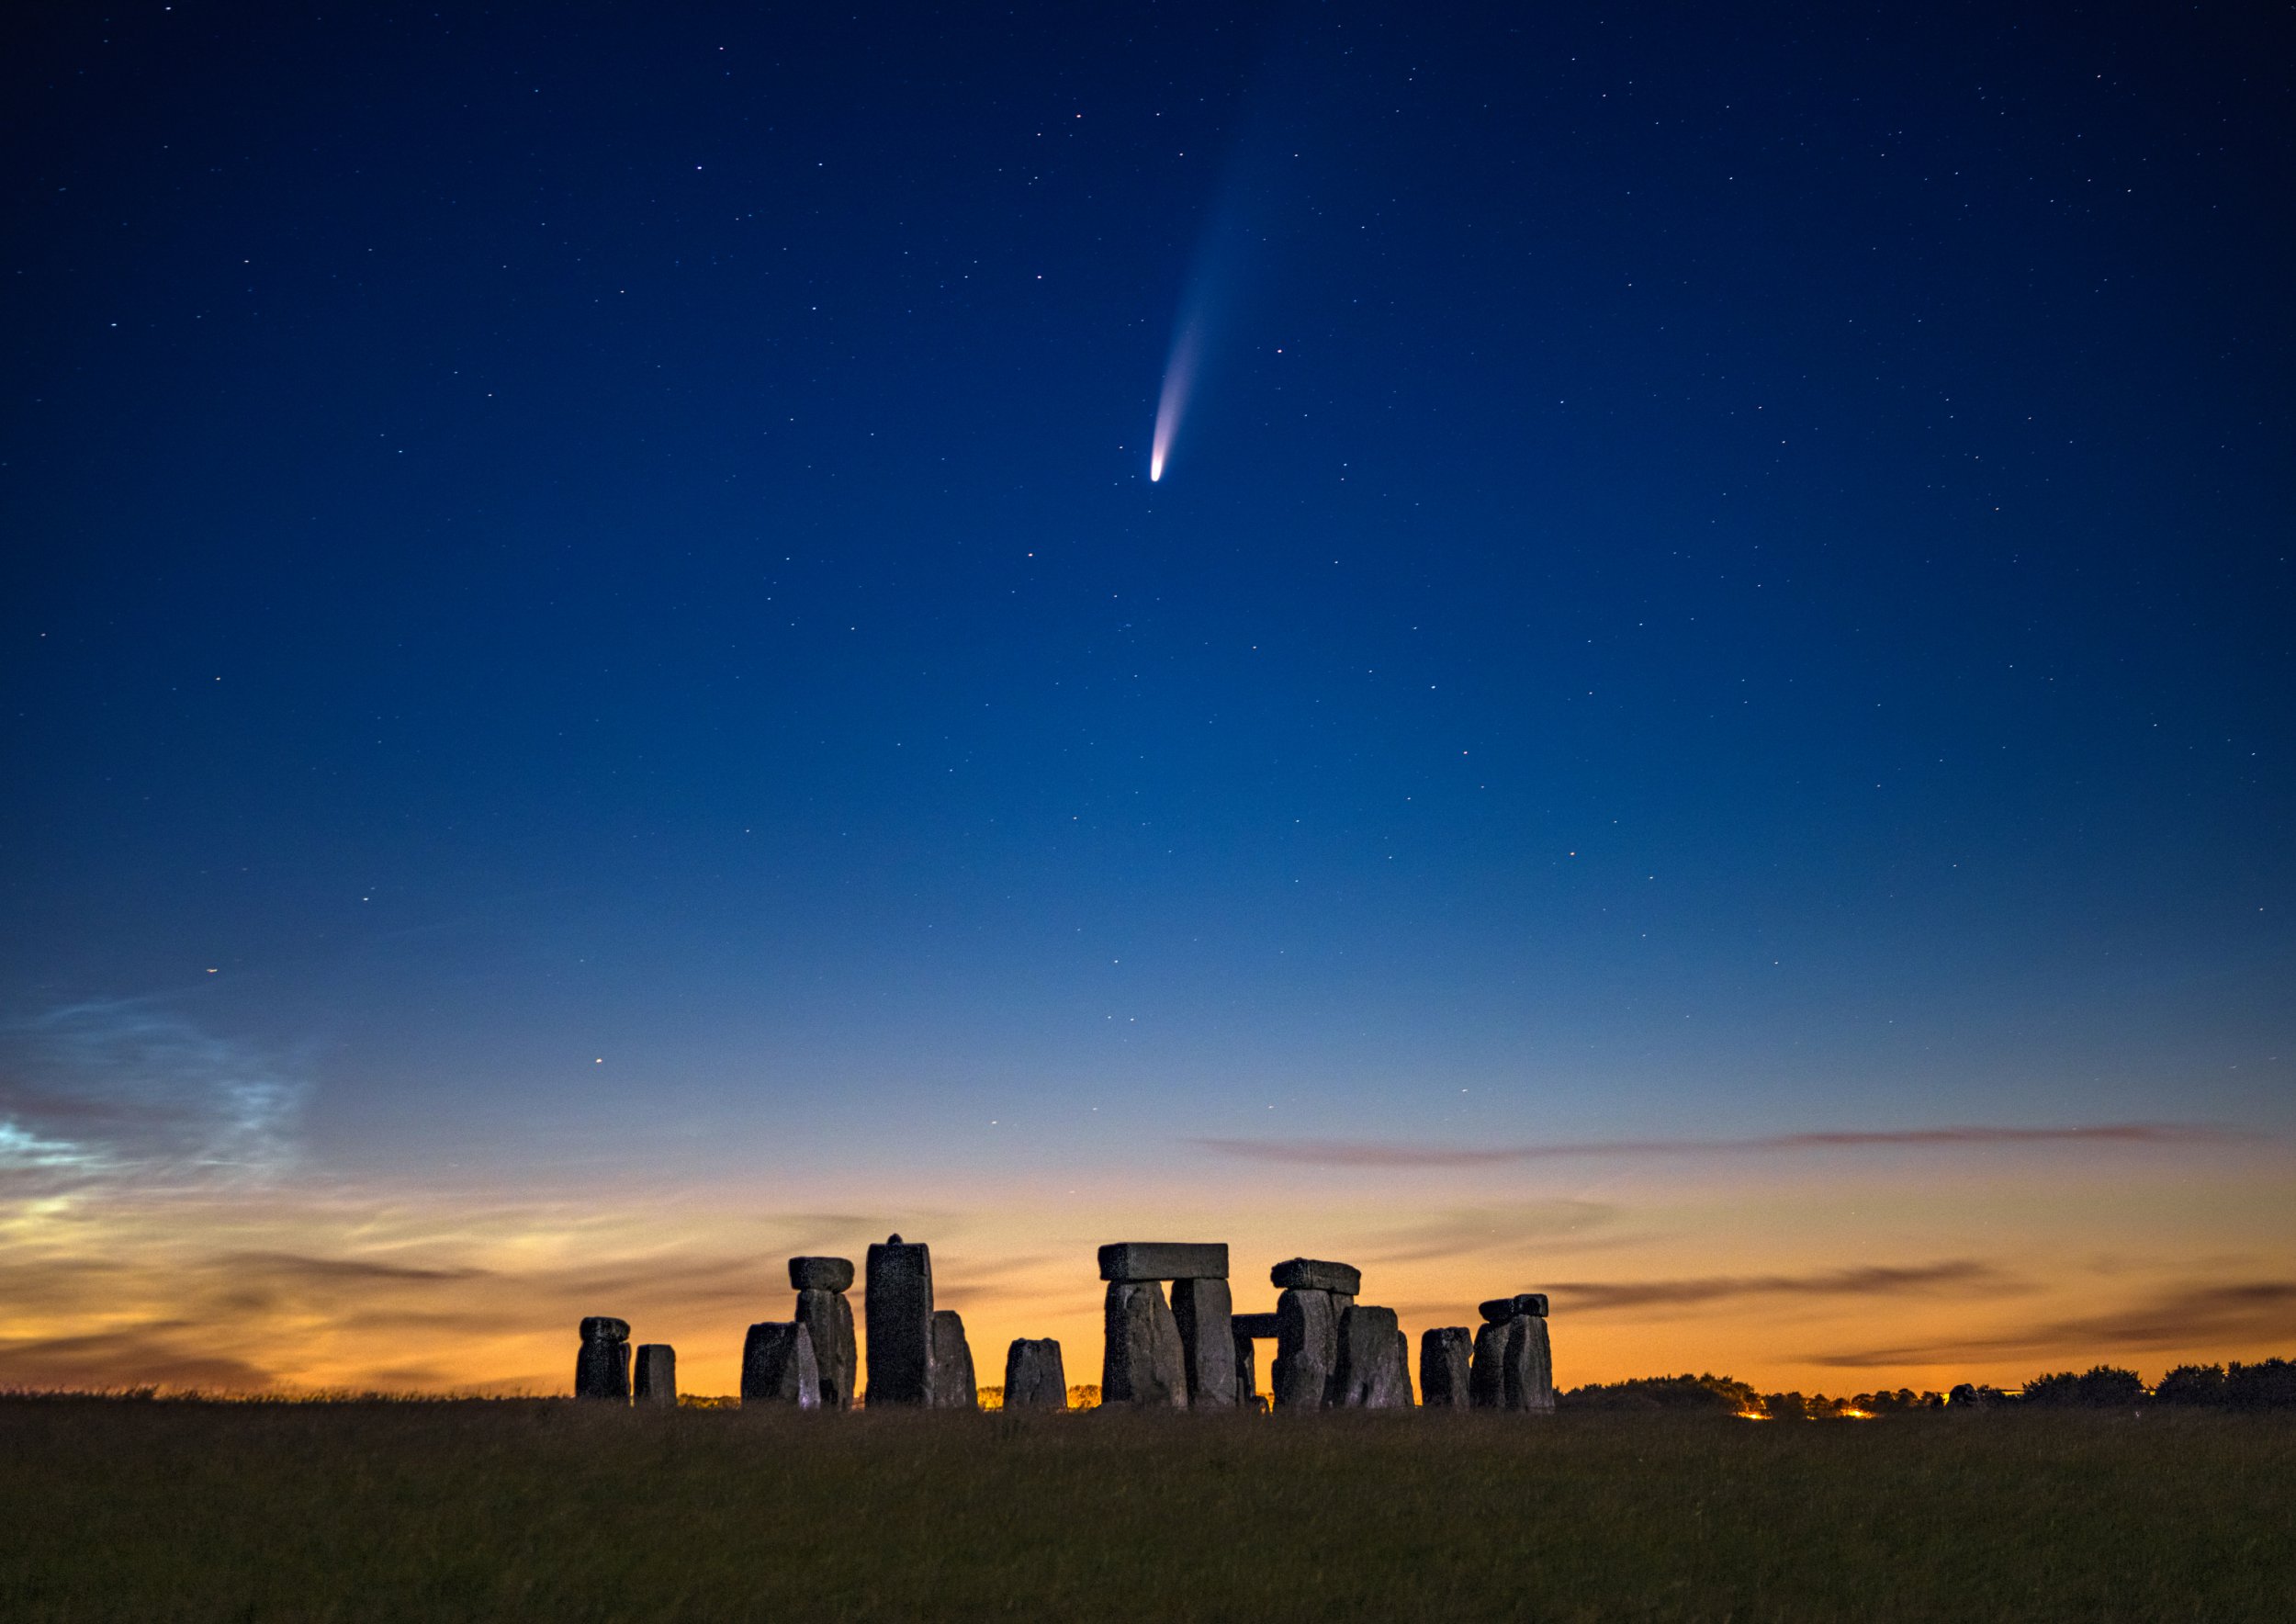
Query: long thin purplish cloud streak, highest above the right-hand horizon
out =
(1374, 1154)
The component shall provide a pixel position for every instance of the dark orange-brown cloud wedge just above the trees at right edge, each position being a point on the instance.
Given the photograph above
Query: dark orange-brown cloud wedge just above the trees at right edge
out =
(2260, 1313)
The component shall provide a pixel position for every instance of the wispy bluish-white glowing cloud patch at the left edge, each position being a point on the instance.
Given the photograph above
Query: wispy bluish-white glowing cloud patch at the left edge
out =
(125, 1092)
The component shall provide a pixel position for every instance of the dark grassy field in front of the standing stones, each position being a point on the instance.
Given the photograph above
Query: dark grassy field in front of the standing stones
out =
(541, 1510)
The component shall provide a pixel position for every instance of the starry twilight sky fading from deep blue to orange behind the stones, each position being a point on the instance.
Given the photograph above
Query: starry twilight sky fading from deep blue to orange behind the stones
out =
(594, 686)
